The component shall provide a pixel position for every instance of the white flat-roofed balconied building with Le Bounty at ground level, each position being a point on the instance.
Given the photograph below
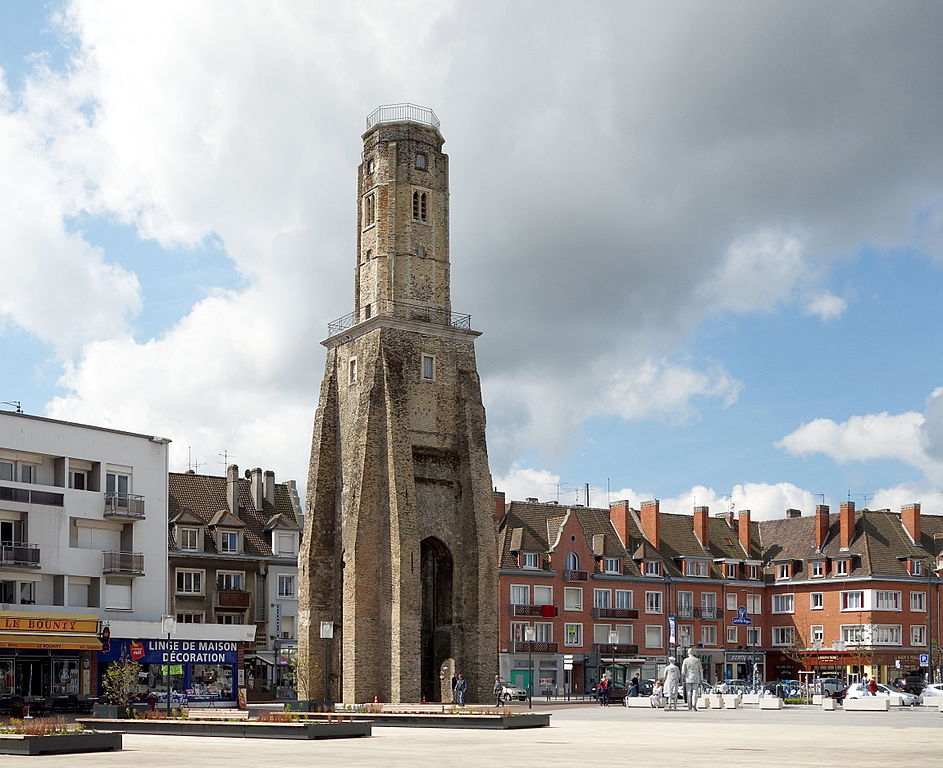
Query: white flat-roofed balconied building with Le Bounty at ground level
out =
(83, 543)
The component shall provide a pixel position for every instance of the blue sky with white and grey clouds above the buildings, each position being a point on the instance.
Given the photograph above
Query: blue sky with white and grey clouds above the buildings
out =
(702, 240)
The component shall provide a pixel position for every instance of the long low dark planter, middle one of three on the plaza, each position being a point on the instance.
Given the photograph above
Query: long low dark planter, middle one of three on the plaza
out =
(240, 730)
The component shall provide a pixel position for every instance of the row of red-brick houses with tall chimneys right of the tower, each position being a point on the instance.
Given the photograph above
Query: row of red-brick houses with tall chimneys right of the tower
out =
(620, 589)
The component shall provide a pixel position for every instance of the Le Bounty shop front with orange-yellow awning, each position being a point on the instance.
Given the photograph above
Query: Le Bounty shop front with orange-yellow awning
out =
(47, 660)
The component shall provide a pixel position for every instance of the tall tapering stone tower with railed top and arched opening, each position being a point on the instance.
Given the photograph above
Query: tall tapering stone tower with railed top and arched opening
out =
(399, 552)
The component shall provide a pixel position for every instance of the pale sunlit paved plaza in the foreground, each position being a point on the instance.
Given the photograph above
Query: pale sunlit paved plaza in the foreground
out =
(580, 735)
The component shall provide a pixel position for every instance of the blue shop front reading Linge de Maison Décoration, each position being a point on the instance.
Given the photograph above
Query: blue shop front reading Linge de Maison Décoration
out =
(196, 671)
